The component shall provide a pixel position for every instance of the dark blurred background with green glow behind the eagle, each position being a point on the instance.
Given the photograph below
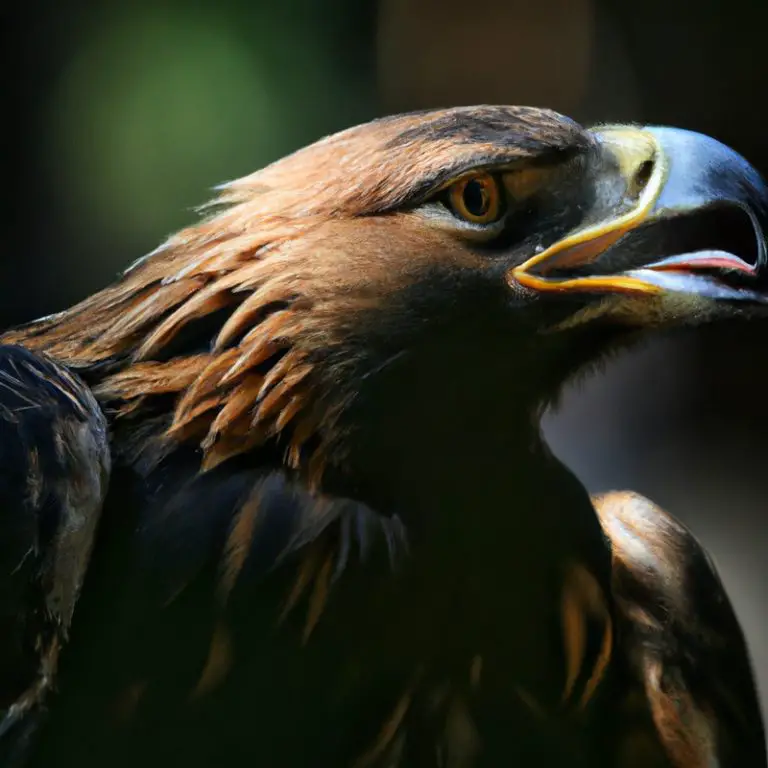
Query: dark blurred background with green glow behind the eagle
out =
(120, 117)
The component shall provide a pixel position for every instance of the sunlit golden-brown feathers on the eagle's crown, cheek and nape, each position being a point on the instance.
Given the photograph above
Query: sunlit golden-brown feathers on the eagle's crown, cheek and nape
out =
(287, 254)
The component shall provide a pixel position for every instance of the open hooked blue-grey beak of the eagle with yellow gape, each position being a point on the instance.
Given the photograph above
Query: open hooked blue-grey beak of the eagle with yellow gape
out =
(691, 217)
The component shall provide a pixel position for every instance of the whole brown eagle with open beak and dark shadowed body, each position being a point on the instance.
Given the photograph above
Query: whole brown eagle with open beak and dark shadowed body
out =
(279, 495)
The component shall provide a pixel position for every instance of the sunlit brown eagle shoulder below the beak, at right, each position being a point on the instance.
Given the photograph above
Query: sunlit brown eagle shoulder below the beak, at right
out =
(680, 638)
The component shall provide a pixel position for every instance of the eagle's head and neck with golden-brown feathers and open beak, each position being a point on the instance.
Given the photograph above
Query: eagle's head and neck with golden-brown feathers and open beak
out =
(412, 285)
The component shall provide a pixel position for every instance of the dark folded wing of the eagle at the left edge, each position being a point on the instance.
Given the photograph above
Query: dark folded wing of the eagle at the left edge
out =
(54, 470)
